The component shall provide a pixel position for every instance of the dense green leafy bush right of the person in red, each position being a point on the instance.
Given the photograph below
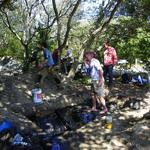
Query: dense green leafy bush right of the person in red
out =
(130, 38)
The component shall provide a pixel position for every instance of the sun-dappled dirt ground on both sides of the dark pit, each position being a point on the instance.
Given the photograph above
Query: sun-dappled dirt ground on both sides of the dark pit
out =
(131, 127)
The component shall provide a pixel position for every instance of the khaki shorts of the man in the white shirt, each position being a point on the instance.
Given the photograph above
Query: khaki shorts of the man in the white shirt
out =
(99, 90)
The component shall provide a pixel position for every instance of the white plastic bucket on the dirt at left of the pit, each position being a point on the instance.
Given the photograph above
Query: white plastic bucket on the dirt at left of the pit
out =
(37, 95)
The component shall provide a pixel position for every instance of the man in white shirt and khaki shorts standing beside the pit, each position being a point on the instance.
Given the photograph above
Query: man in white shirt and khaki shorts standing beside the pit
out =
(96, 74)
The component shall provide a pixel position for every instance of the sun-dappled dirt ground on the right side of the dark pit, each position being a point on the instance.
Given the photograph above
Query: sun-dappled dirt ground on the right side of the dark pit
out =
(130, 129)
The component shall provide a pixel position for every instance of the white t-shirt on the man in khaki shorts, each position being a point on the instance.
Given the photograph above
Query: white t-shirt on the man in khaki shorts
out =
(95, 66)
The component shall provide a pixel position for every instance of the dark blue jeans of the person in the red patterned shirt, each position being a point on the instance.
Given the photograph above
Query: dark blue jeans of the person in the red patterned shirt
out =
(108, 70)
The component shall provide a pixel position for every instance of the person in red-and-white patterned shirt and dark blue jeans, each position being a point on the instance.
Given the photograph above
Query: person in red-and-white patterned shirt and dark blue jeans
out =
(110, 59)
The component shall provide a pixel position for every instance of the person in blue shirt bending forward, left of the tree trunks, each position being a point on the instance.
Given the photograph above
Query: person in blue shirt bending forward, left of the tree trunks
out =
(47, 64)
